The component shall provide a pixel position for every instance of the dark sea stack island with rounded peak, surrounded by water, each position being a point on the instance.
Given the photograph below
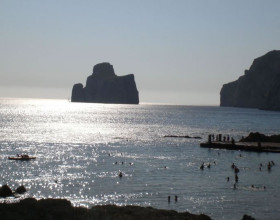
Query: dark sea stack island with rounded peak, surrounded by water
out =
(104, 86)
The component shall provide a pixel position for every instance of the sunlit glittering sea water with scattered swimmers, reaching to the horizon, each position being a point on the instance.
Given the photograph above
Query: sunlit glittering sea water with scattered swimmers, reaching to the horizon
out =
(81, 148)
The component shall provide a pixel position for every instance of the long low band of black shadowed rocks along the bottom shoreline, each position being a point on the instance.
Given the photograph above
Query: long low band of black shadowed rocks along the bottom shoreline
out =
(62, 209)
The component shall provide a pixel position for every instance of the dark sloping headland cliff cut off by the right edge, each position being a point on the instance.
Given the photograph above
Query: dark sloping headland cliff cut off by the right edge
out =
(258, 88)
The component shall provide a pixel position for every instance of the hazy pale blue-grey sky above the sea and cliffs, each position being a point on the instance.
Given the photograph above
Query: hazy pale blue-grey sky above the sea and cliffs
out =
(181, 51)
